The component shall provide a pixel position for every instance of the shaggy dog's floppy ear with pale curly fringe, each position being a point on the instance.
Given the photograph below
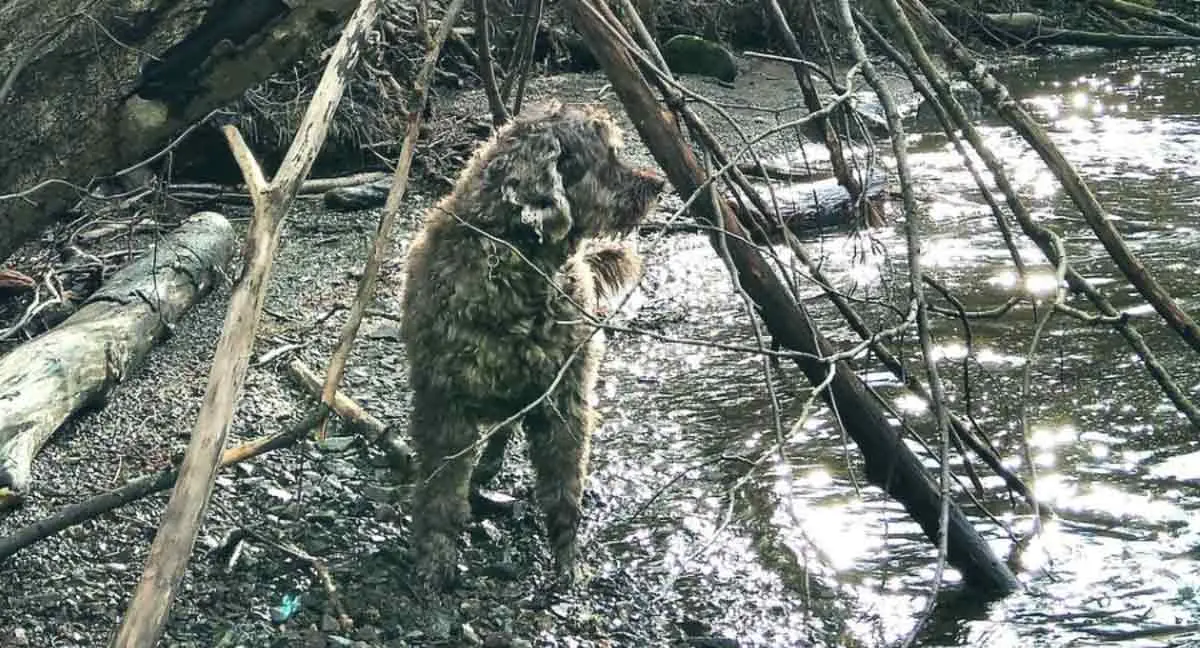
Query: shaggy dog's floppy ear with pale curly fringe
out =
(535, 188)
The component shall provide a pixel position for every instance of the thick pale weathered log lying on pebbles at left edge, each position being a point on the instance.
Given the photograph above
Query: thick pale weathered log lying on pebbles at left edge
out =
(49, 380)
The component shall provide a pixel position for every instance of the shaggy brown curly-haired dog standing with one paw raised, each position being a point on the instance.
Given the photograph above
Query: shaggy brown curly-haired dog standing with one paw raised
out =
(502, 287)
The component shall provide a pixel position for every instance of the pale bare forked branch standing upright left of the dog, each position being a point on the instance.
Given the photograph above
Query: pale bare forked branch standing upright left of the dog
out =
(173, 543)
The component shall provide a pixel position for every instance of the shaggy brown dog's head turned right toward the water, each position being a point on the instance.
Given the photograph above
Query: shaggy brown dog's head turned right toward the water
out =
(560, 179)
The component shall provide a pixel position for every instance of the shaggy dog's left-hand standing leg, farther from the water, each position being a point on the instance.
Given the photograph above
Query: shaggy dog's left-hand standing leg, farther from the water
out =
(443, 437)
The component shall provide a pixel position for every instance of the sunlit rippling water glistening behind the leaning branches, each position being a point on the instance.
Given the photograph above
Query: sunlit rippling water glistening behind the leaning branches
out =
(775, 531)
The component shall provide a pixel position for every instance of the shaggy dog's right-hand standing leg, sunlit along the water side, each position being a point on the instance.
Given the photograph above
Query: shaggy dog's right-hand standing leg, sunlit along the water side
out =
(560, 436)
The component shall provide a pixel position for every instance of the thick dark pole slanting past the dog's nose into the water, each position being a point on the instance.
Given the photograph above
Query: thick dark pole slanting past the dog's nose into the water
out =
(890, 464)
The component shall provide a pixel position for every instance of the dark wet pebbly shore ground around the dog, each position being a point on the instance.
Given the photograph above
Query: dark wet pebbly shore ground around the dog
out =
(341, 502)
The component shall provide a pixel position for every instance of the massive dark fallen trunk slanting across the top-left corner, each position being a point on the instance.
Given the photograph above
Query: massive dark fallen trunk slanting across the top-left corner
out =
(88, 93)
